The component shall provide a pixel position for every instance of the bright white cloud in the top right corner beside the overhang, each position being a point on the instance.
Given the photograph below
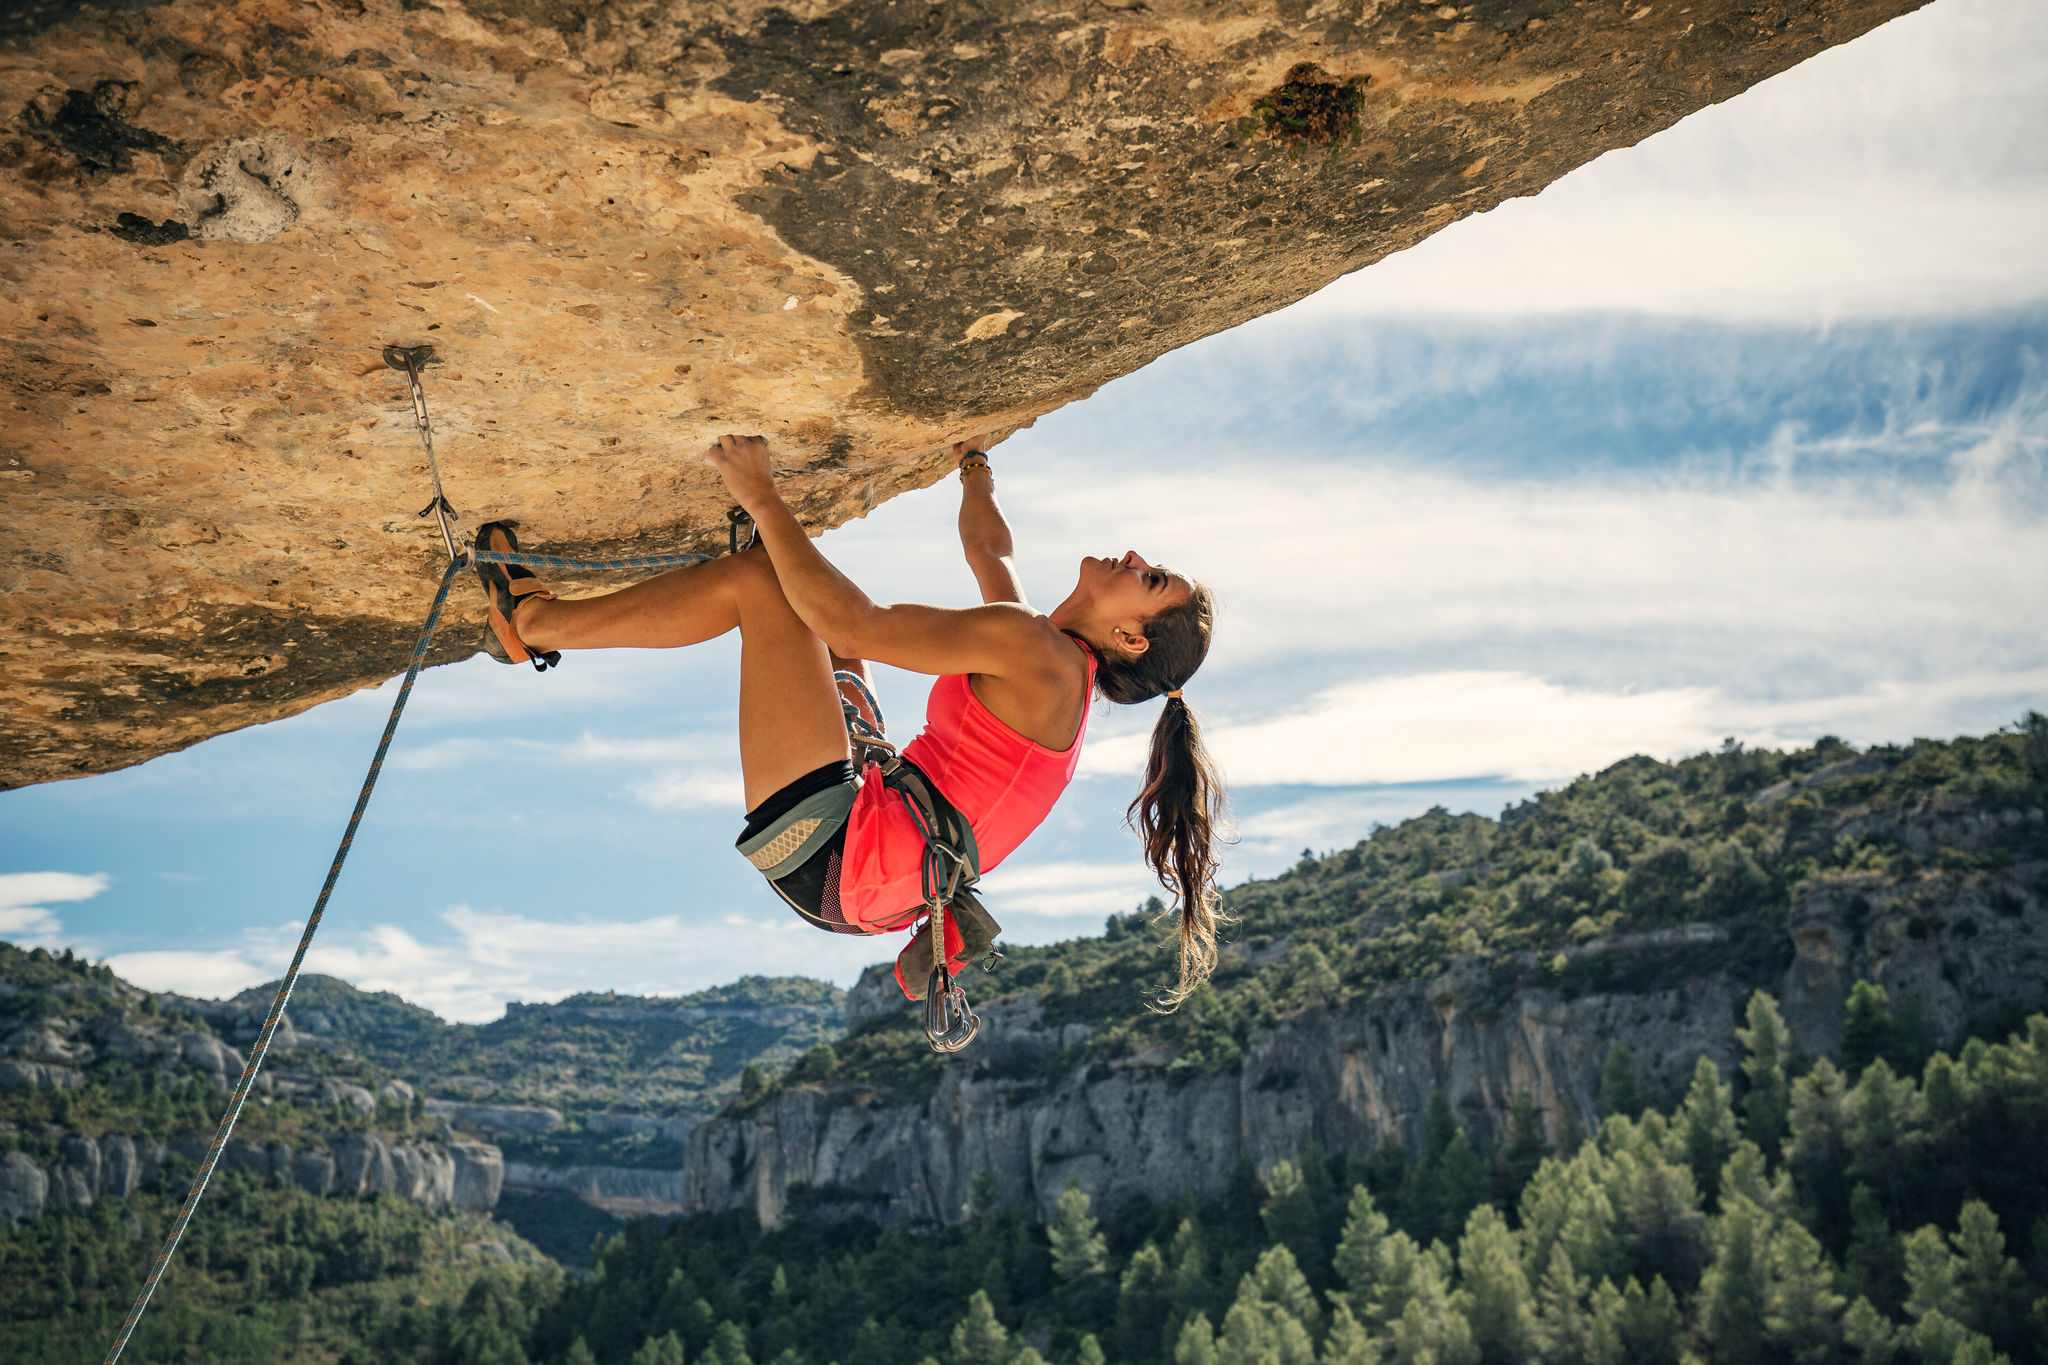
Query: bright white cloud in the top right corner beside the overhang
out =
(1893, 175)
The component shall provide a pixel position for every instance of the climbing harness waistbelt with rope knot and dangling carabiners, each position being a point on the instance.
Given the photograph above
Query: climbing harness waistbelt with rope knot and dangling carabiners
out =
(949, 873)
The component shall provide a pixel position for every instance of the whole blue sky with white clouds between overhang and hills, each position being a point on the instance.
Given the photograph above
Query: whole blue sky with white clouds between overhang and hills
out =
(1734, 433)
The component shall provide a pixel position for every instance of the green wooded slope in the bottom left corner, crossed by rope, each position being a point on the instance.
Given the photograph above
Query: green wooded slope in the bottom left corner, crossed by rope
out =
(271, 1276)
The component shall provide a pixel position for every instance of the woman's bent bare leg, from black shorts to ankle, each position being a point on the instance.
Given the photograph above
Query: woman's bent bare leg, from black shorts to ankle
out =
(790, 707)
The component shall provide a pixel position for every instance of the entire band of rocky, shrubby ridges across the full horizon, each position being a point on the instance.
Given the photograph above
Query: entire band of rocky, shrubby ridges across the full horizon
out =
(1451, 955)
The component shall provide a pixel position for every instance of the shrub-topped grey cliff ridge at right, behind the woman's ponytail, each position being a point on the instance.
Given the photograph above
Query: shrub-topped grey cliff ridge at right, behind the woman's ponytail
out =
(1916, 869)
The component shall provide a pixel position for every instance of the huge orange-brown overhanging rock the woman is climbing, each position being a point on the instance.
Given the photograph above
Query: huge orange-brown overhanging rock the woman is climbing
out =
(863, 228)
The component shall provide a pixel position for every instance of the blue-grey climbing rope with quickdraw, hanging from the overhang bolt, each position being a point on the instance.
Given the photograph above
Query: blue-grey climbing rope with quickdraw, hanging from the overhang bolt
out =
(409, 359)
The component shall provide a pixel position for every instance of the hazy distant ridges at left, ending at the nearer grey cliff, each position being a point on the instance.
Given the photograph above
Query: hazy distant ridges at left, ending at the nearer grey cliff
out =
(108, 1088)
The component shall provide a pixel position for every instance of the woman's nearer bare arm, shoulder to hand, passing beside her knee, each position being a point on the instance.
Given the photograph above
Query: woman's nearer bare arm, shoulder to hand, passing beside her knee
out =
(1002, 640)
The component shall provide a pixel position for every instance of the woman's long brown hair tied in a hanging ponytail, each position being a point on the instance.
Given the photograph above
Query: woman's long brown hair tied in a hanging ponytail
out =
(1179, 813)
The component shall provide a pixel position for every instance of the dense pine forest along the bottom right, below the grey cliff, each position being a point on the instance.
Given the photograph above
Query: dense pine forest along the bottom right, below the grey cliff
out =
(1828, 1219)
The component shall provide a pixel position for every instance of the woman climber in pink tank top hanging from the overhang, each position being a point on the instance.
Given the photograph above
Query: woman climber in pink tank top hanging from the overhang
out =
(1002, 730)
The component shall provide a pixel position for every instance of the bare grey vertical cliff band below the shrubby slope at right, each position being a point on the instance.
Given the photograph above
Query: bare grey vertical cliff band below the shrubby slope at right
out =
(1347, 1075)
